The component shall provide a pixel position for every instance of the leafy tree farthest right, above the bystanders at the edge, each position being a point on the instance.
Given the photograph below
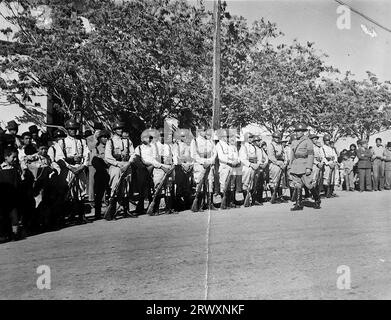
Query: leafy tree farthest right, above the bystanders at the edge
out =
(353, 108)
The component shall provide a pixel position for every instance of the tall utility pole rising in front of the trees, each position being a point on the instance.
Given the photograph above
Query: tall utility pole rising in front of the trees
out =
(216, 66)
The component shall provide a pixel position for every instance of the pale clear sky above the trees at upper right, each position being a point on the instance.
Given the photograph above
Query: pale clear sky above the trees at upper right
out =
(316, 21)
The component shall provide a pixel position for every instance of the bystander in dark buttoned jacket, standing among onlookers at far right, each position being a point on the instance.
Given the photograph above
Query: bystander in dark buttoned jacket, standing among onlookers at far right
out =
(364, 156)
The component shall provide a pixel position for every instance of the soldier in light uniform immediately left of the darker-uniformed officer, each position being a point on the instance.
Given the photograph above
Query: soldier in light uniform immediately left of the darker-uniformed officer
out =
(278, 162)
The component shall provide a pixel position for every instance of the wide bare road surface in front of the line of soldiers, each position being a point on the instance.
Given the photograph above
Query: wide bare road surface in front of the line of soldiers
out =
(258, 253)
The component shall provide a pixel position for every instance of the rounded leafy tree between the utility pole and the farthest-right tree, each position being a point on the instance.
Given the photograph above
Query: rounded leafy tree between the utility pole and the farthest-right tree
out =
(282, 85)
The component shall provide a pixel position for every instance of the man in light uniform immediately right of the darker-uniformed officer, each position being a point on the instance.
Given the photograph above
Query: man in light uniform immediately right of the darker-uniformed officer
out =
(330, 163)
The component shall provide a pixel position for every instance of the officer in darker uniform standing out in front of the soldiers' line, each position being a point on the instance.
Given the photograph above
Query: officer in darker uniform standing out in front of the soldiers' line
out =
(302, 161)
